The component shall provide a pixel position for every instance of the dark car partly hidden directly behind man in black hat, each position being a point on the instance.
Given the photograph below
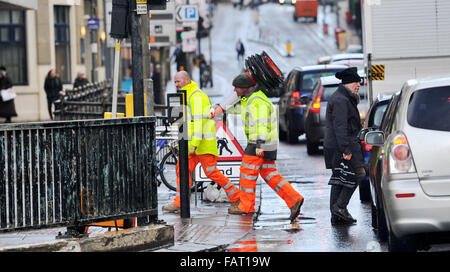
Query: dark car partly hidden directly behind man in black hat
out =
(315, 114)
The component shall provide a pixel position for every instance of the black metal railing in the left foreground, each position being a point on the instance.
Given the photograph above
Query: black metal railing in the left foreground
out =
(72, 173)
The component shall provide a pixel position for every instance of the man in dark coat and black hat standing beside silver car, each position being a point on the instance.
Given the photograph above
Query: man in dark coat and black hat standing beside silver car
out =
(342, 147)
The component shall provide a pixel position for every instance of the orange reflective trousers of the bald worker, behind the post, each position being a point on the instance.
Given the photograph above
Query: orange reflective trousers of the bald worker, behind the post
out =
(209, 164)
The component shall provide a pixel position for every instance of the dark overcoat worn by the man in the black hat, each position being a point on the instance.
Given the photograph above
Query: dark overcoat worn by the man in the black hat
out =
(342, 127)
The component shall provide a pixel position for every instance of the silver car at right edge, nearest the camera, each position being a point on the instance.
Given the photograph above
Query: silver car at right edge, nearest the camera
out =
(412, 177)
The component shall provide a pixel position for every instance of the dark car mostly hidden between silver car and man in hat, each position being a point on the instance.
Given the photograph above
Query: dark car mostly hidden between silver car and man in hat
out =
(372, 122)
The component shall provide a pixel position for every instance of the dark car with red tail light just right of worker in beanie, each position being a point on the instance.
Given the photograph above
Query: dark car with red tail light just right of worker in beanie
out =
(295, 95)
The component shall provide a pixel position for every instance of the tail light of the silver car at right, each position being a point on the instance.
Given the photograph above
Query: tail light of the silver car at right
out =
(400, 159)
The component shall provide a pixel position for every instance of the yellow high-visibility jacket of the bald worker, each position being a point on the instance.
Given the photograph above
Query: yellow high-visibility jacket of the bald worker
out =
(201, 129)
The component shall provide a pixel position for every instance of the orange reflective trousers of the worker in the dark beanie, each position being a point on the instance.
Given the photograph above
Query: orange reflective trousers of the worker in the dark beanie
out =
(251, 168)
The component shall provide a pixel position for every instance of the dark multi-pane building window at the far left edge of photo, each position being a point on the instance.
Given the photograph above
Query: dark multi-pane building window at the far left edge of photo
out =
(13, 45)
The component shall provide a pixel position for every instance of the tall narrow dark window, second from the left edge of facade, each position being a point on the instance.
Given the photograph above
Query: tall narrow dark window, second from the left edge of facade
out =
(62, 43)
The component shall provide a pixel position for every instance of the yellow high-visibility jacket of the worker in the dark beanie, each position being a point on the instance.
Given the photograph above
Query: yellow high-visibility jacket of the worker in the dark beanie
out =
(259, 116)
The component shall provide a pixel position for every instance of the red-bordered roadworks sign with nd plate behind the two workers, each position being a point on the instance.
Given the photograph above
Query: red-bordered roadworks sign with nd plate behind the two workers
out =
(230, 155)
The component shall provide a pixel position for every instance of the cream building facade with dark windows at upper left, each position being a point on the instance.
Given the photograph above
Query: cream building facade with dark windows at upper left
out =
(39, 35)
